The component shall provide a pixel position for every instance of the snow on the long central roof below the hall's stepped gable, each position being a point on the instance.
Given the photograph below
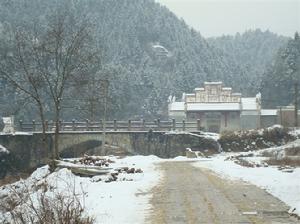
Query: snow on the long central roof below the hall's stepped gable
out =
(213, 106)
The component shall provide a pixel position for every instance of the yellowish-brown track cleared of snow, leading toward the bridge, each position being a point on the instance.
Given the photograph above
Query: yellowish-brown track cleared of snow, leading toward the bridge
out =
(192, 195)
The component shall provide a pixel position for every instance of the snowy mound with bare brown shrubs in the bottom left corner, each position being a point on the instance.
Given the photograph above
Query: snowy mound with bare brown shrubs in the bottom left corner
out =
(38, 200)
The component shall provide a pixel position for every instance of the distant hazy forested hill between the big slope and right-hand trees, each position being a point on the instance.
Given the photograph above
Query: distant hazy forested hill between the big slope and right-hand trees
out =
(253, 51)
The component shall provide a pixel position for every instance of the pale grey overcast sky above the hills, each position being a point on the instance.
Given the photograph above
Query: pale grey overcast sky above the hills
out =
(217, 17)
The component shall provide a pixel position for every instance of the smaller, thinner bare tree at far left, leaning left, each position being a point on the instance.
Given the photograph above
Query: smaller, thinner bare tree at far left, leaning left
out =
(17, 66)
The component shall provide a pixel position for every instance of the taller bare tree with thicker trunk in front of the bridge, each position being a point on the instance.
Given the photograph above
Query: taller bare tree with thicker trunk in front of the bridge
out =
(65, 53)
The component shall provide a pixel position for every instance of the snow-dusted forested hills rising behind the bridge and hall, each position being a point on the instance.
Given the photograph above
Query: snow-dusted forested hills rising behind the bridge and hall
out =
(148, 53)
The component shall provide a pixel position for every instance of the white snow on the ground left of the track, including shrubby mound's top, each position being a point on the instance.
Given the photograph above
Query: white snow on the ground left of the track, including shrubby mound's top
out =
(114, 202)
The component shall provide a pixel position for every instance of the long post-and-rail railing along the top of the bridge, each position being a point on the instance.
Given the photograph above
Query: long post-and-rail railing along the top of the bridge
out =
(114, 125)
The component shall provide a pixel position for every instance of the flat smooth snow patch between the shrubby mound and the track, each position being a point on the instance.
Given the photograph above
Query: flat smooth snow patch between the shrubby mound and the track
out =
(125, 201)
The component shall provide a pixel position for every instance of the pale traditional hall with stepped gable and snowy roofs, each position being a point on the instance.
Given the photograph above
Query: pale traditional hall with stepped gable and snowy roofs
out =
(218, 109)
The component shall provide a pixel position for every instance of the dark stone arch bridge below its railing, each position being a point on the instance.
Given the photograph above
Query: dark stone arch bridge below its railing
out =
(29, 150)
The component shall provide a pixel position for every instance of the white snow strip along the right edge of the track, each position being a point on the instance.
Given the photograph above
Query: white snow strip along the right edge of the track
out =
(285, 186)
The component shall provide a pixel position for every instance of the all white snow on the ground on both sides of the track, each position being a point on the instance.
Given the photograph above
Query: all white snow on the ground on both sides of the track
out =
(127, 199)
